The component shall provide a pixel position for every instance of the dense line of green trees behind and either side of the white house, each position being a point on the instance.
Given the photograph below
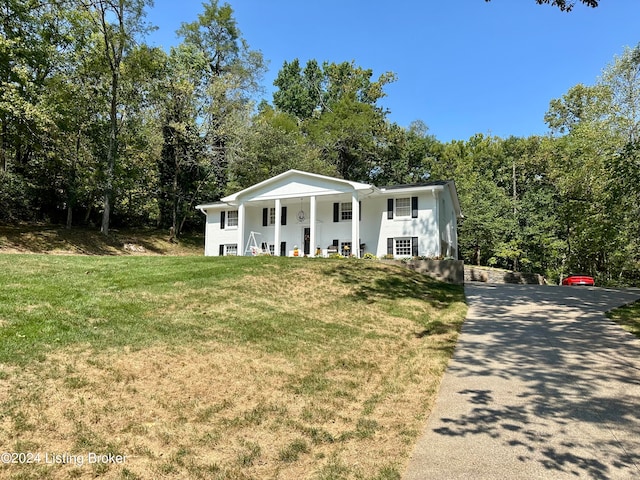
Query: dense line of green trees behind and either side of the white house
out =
(99, 128)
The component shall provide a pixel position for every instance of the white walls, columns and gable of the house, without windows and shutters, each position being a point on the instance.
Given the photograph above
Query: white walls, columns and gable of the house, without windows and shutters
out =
(435, 226)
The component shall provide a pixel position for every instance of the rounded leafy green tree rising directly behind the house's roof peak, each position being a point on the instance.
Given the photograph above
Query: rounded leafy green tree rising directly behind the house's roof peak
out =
(336, 106)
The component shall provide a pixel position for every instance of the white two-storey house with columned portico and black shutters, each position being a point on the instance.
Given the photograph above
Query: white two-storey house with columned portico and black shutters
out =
(308, 214)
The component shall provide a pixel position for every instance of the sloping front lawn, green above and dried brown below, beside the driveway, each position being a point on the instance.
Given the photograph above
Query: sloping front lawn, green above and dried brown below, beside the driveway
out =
(227, 368)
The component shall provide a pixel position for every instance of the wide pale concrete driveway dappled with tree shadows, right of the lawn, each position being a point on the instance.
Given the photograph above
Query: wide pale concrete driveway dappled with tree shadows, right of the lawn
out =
(541, 386)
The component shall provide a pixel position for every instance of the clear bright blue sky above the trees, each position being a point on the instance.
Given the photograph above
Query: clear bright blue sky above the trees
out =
(463, 66)
